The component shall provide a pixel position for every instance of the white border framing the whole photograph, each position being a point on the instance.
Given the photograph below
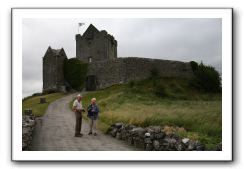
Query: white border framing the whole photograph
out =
(18, 155)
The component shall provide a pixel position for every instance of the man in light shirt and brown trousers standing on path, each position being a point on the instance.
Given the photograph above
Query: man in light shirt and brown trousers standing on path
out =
(77, 108)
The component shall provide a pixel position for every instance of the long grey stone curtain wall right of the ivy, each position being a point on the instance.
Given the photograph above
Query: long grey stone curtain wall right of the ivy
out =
(122, 70)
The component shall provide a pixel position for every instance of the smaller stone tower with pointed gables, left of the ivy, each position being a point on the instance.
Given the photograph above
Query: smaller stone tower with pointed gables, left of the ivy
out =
(53, 78)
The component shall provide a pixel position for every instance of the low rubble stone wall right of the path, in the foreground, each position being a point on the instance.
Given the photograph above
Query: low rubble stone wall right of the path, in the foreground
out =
(153, 138)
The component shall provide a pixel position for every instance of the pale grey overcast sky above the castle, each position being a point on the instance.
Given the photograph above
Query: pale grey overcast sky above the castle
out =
(171, 39)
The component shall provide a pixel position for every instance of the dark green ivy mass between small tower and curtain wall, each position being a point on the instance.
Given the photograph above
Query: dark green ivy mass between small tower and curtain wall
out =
(75, 73)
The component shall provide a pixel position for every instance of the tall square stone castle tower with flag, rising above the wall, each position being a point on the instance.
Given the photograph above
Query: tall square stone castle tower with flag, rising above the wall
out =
(95, 45)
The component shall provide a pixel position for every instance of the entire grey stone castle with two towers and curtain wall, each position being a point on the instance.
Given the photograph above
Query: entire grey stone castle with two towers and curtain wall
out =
(99, 50)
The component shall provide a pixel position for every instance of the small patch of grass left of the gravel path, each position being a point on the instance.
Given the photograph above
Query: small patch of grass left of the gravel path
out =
(34, 103)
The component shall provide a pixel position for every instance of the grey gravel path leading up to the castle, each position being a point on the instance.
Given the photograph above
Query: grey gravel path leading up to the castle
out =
(55, 132)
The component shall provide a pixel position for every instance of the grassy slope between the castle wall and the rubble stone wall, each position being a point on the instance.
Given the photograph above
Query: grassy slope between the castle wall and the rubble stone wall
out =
(173, 103)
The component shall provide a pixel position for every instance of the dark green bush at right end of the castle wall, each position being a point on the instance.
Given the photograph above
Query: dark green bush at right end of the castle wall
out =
(205, 78)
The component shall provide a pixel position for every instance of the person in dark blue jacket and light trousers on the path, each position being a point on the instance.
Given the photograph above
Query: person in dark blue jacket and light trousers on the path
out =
(93, 111)
